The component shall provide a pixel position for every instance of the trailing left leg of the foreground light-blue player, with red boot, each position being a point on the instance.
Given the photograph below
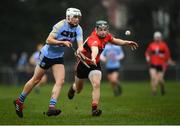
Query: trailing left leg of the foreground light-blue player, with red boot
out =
(38, 73)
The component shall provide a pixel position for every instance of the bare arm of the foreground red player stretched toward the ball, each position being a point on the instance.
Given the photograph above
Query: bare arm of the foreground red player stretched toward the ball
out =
(121, 42)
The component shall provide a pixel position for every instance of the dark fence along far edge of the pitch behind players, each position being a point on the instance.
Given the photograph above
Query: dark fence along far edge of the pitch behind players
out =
(136, 72)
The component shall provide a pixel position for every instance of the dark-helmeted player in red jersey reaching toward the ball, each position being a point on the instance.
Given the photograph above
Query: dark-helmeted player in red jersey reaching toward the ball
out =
(93, 47)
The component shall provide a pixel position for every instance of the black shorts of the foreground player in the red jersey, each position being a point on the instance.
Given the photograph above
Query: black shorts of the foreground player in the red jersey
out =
(82, 71)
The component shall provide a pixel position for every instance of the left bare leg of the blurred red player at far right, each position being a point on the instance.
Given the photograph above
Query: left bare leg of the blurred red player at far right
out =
(154, 80)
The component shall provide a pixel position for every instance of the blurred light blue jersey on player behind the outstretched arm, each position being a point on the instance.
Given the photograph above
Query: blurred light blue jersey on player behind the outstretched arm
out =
(113, 54)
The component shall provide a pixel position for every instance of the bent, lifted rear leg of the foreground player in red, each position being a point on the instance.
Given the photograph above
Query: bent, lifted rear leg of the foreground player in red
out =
(76, 87)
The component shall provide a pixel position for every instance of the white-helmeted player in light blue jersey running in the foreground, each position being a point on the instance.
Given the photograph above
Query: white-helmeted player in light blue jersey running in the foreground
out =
(64, 33)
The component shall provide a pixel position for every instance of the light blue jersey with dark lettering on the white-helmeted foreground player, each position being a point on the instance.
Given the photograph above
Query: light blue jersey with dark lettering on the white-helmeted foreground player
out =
(62, 31)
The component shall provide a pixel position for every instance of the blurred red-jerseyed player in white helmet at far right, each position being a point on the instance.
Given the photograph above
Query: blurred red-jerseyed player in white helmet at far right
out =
(158, 57)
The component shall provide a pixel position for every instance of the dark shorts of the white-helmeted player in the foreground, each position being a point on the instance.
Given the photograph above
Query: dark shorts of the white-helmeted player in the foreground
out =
(46, 63)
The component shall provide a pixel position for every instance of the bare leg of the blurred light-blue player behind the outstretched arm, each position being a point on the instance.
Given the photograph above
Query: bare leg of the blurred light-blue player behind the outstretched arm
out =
(114, 80)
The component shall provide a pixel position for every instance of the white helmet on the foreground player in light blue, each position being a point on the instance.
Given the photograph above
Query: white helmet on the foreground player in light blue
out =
(70, 12)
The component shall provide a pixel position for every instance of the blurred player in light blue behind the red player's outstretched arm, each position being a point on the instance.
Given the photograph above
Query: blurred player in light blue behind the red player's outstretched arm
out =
(112, 55)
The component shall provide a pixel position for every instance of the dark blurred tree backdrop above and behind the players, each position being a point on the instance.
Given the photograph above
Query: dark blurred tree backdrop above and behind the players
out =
(25, 23)
